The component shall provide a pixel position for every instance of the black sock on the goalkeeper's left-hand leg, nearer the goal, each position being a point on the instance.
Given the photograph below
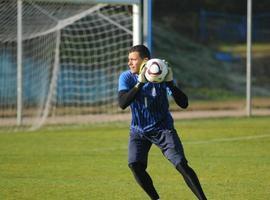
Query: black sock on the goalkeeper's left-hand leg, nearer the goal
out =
(143, 179)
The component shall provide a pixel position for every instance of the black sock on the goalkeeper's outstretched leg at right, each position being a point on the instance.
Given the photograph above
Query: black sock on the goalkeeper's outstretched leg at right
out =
(191, 179)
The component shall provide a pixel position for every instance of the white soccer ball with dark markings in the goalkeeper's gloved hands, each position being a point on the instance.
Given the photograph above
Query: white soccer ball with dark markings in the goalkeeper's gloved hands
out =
(156, 70)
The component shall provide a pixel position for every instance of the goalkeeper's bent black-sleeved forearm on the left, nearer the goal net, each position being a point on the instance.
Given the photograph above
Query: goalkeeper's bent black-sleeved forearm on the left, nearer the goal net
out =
(126, 97)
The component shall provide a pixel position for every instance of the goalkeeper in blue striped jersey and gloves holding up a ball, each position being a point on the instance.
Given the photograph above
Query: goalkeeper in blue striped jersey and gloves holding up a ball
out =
(152, 122)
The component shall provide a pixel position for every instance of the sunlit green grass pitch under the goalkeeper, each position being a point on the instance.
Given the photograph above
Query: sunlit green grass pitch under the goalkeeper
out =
(230, 155)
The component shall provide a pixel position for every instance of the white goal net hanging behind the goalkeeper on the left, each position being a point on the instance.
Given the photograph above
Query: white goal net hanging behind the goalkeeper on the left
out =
(70, 55)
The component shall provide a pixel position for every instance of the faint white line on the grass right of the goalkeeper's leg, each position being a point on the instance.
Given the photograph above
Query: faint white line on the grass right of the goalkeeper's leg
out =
(227, 139)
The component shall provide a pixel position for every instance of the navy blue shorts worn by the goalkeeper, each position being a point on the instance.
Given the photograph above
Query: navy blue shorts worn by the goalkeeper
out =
(167, 140)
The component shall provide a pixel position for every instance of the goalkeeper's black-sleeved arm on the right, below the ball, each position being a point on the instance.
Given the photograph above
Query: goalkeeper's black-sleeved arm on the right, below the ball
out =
(180, 97)
